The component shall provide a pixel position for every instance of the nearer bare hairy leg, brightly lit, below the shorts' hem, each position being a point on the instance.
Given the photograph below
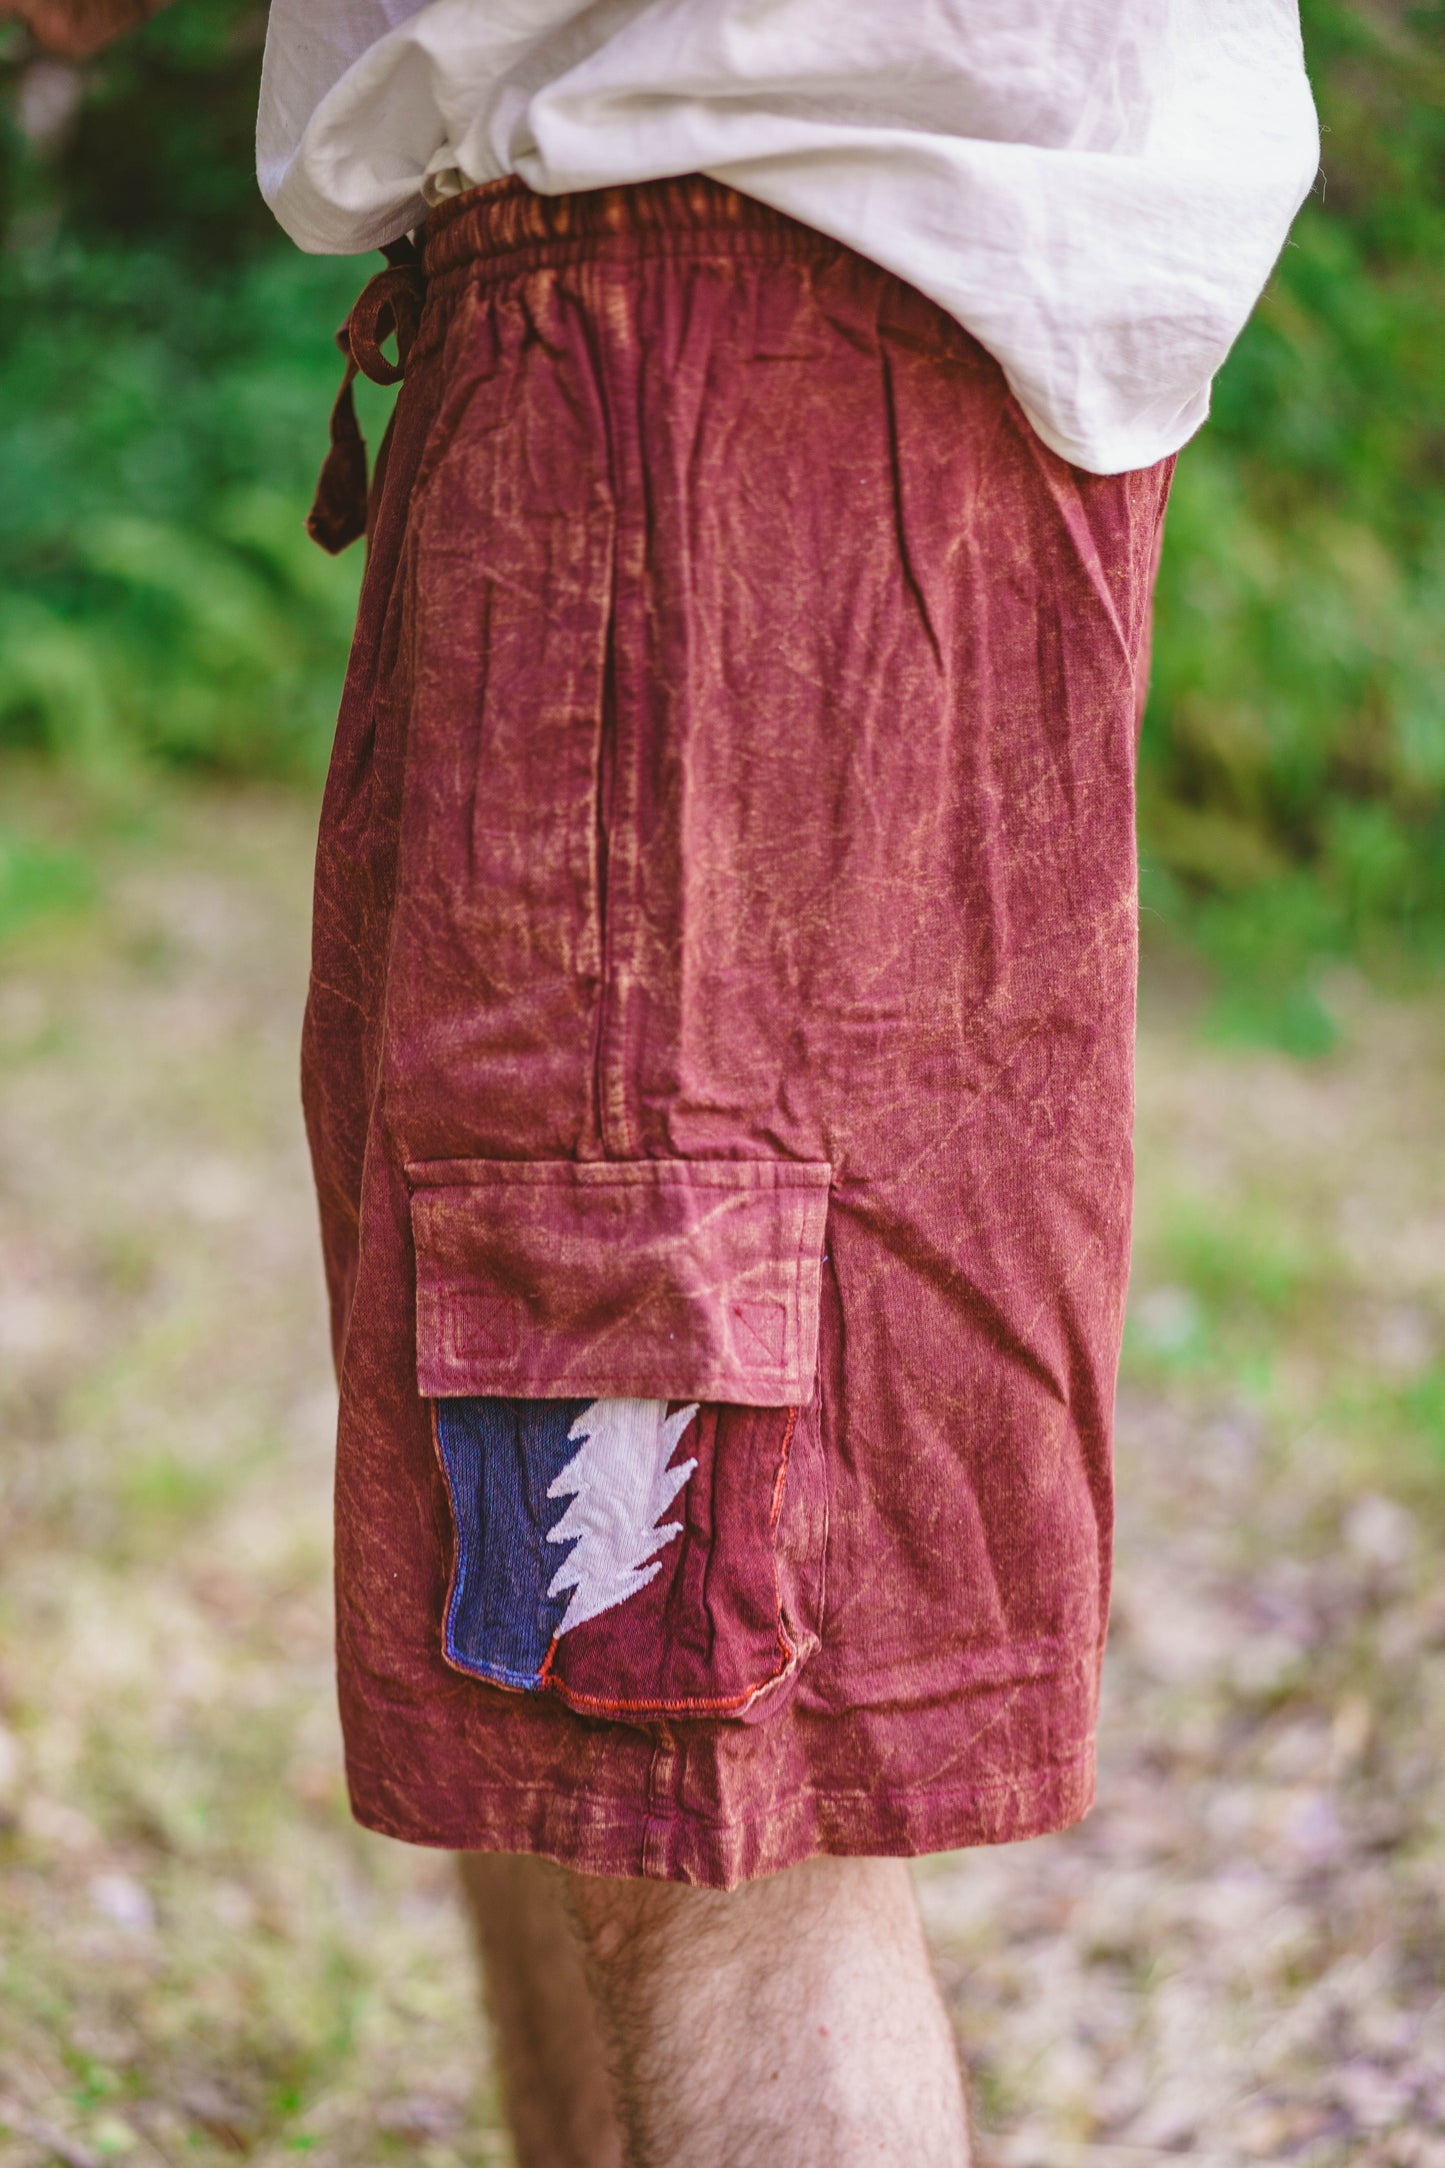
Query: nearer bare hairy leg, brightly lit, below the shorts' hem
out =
(792, 2024)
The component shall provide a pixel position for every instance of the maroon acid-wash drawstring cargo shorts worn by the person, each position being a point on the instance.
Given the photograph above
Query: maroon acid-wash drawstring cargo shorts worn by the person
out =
(718, 1057)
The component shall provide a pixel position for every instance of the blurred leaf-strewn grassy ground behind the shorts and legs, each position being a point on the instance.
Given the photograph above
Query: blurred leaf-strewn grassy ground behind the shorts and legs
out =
(1236, 1959)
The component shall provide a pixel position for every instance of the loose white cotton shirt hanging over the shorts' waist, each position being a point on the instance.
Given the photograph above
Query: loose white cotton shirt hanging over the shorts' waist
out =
(1097, 190)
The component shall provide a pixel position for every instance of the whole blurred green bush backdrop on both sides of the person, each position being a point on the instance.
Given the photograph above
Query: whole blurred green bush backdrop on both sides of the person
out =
(166, 376)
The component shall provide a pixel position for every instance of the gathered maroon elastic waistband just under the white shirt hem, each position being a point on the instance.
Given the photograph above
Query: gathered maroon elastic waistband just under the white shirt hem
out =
(506, 220)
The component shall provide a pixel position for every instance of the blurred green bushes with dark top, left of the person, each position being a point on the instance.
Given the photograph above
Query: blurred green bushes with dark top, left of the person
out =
(166, 376)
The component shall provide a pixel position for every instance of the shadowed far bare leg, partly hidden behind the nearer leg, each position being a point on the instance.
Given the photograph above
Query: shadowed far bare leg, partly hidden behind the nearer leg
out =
(556, 2085)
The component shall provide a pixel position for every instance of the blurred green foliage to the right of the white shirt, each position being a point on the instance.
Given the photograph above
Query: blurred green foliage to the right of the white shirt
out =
(1294, 756)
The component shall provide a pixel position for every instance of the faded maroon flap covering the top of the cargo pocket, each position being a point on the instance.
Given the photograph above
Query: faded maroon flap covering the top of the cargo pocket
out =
(673, 1280)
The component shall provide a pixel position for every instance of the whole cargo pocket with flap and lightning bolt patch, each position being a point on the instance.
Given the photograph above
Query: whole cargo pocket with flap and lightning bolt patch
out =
(623, 1373)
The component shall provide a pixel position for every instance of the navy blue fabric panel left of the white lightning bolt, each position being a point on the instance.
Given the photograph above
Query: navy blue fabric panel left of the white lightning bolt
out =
(502, 1458)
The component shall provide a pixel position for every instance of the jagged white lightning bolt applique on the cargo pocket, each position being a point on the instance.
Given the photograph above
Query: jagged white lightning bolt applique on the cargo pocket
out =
(621, 1486)
